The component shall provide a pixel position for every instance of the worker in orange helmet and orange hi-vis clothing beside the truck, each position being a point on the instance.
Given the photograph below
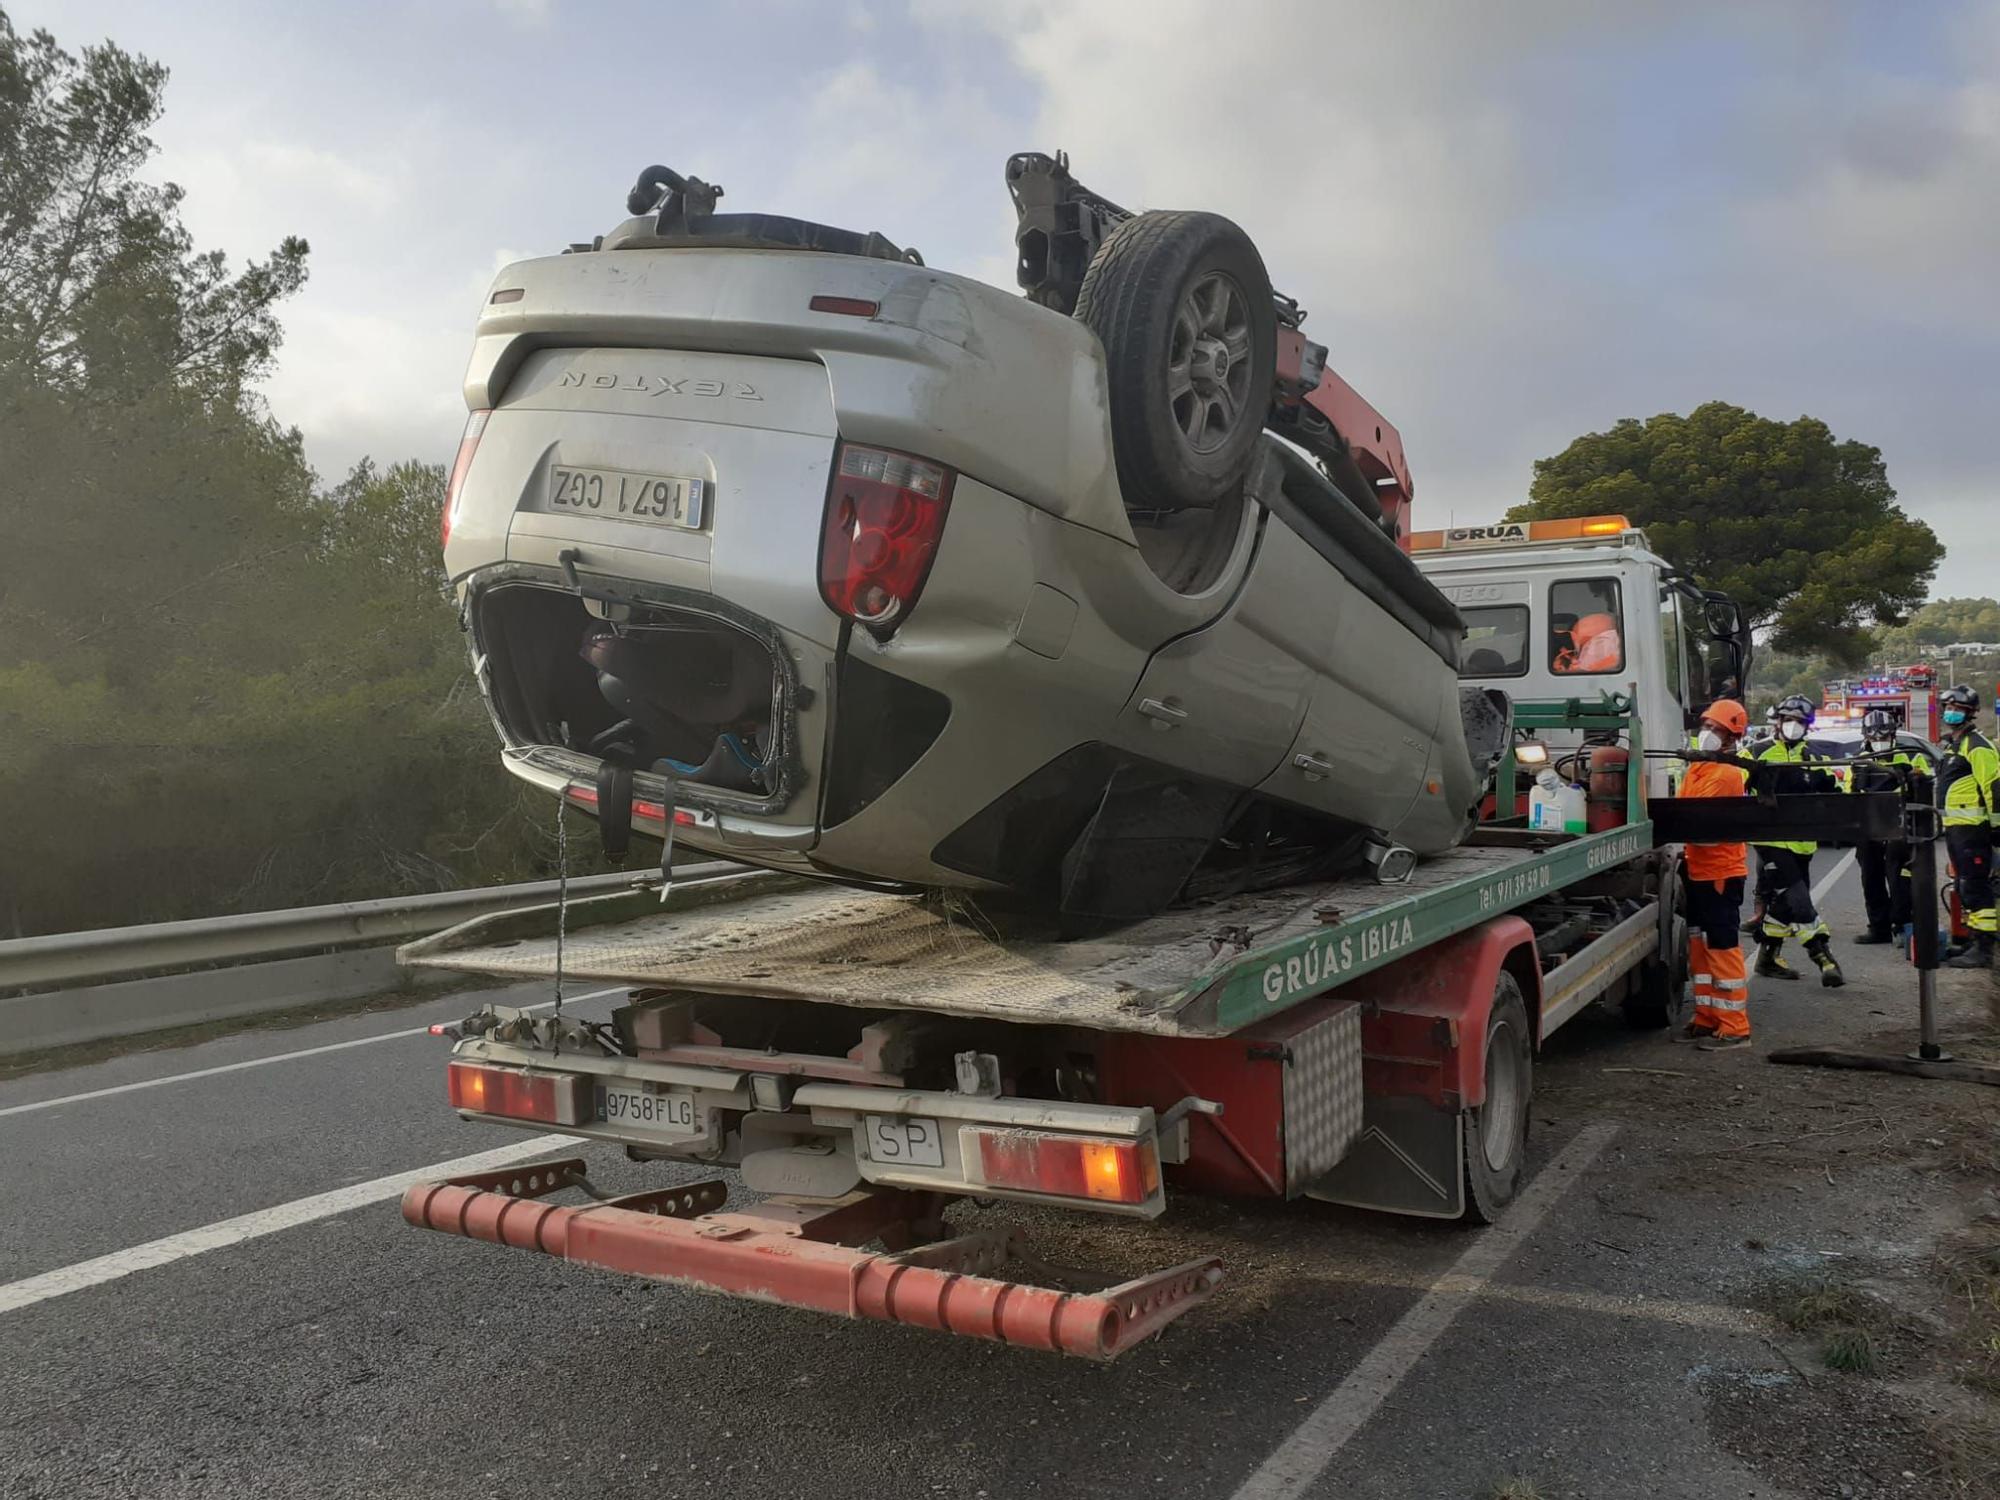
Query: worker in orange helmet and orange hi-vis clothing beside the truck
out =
(1717, 877)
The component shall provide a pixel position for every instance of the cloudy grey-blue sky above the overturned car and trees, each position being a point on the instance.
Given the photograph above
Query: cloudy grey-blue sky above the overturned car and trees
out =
(1513, 223)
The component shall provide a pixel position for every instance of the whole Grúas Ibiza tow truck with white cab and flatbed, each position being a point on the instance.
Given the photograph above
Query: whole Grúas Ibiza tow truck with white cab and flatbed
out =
(879, 1065)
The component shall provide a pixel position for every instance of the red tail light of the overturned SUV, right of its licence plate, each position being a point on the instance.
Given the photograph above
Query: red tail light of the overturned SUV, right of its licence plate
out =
(885, 515)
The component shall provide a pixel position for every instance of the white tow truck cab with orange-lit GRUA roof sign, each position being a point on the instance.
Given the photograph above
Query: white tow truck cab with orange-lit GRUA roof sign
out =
(1569, 609)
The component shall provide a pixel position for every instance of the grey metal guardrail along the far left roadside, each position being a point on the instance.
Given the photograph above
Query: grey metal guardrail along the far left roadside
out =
(113, 953)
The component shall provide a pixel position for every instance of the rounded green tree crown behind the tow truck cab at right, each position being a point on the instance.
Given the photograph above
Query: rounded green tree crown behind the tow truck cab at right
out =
(1795, 525)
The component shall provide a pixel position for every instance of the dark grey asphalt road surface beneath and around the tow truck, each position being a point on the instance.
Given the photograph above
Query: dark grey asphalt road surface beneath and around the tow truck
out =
(353, 1355)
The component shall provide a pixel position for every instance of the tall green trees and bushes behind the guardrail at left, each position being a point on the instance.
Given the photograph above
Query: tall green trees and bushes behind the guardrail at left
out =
(221, 687)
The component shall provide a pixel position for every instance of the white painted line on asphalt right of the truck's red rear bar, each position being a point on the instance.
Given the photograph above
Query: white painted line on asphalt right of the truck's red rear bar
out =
(1301, 1459)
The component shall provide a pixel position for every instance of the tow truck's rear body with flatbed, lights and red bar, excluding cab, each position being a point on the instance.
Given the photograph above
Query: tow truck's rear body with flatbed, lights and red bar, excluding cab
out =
(869, 1059)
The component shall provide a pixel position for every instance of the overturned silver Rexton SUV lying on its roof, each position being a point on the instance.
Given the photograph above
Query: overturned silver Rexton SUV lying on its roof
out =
(777, 541)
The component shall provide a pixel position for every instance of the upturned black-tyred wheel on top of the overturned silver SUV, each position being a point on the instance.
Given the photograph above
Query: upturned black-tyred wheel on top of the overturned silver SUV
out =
(1185, 313)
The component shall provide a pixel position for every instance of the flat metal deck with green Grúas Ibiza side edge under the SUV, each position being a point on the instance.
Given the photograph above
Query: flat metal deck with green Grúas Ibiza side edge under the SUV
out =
(1201, 971)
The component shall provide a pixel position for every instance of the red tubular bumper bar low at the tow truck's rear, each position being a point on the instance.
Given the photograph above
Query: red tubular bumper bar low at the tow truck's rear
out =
(807, 1257)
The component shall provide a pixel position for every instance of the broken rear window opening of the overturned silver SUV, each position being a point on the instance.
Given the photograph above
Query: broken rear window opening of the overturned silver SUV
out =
(655, 689)
